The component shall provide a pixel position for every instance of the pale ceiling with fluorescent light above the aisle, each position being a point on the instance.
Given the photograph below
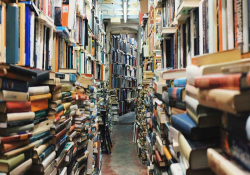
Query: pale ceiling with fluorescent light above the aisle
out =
(115, 9)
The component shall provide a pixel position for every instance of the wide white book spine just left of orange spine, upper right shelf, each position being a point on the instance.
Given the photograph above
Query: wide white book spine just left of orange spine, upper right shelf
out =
(212, 29)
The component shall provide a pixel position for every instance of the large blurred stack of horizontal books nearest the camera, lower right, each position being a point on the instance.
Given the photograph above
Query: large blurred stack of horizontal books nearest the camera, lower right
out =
(220, 95)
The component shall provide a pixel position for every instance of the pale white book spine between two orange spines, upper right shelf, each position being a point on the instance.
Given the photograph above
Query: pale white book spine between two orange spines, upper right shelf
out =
(230, 24)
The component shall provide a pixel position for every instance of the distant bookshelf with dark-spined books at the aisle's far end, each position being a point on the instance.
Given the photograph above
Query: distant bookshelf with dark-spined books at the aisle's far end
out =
(123, 70)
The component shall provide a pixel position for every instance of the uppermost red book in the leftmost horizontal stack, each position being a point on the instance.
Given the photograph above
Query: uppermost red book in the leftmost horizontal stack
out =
(11, 107)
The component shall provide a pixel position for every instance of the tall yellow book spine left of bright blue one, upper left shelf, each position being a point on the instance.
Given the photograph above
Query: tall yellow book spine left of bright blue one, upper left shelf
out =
(22, 33)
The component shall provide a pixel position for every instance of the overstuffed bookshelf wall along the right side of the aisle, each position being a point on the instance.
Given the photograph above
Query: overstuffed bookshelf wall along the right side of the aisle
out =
(195, 35)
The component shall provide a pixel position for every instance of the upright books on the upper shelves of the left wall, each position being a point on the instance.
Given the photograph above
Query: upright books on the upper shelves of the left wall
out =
(30, 36)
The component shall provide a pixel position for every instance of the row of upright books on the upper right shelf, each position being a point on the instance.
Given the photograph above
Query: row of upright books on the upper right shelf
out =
(203, 27)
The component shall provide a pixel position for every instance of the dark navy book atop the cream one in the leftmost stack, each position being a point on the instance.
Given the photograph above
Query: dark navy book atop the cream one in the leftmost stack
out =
(13, 85)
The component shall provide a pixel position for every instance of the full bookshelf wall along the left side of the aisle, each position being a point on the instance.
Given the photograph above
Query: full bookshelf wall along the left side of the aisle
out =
(54, 54)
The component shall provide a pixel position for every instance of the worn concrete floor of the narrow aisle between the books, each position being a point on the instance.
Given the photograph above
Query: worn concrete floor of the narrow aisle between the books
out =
(123, 159)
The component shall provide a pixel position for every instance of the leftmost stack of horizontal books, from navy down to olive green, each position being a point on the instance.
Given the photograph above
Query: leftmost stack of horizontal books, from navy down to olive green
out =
(16, 126)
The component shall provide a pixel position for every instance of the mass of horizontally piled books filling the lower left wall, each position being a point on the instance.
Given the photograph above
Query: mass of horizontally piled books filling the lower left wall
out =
(48, 123)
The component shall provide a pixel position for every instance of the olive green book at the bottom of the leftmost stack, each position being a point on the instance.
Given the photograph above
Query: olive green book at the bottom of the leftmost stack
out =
(10, 164)
